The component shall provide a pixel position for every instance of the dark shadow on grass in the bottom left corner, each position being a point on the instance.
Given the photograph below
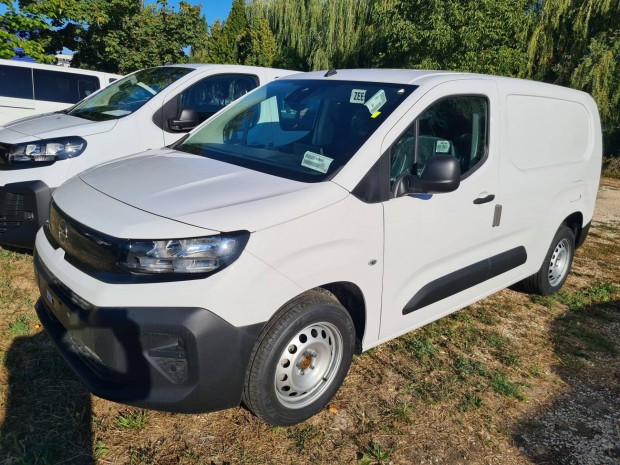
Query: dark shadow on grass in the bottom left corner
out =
(48, 411)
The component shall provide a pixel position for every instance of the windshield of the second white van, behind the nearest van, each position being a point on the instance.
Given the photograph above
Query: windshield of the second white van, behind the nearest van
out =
(123, 97)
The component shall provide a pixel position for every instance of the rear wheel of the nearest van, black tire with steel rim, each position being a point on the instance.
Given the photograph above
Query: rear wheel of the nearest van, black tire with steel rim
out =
(556, 265)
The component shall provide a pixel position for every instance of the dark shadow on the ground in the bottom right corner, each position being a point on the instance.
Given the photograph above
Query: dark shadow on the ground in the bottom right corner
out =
(583, 424)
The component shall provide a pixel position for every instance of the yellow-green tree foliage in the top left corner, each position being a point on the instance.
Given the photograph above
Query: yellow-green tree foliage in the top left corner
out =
(17, 29)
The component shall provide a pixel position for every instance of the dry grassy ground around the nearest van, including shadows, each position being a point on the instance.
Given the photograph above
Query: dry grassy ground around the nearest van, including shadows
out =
(512, 379)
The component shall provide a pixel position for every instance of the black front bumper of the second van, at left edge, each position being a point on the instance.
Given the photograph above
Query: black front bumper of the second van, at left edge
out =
(24, 208)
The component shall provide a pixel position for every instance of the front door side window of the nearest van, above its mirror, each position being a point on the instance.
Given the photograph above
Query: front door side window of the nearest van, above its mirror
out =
(456, 126)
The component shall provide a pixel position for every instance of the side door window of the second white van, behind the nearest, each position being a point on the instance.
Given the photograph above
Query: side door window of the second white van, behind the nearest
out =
(214, 93)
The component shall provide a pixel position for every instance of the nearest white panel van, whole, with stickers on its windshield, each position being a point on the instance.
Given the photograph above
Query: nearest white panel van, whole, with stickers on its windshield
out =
(319, 216)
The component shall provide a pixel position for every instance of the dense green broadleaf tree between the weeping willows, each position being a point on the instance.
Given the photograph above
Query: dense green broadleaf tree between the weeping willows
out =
(486, 36)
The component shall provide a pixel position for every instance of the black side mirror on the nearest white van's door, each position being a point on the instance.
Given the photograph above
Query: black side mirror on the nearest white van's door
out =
(442, 173)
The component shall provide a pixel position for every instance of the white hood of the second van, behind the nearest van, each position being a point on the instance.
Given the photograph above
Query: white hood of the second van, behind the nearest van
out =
(51, 125)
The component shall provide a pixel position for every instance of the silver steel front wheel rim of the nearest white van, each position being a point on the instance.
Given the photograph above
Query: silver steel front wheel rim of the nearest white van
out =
(308, 364)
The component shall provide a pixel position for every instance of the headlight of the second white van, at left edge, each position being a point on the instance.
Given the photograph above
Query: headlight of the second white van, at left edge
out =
(45, 150)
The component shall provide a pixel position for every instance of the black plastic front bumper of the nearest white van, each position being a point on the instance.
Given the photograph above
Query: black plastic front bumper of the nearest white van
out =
(174, 359)
